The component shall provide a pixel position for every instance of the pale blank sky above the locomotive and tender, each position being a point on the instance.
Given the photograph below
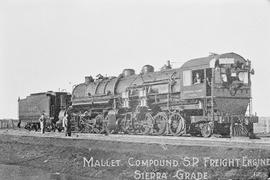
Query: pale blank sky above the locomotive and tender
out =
(52, 44)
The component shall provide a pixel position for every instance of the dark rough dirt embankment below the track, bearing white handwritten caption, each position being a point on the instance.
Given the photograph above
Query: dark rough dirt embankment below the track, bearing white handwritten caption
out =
(69, 155)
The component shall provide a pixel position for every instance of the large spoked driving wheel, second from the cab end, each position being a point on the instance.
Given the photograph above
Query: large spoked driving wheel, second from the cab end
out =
(160, 123)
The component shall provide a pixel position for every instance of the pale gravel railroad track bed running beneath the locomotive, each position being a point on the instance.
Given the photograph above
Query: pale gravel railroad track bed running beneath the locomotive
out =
(236, 142)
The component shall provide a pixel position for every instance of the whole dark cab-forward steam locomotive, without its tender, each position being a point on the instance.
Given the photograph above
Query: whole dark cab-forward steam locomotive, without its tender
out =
(204, 96)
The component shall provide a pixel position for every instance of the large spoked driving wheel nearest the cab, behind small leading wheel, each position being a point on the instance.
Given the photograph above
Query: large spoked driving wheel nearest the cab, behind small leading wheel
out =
(176, 124)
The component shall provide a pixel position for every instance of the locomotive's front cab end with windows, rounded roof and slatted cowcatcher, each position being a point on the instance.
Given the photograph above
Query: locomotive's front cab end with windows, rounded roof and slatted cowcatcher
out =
(221, 83)
